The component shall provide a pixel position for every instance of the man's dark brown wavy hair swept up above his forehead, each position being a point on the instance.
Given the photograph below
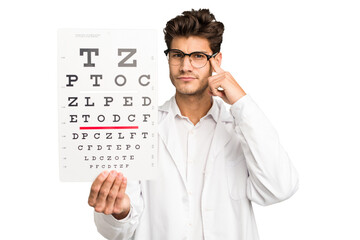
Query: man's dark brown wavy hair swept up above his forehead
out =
(199, 23)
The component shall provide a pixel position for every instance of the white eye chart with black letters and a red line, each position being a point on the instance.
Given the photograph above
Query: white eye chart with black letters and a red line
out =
(107, 100)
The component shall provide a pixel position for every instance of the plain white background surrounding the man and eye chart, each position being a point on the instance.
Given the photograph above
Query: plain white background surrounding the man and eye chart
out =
(299, 60)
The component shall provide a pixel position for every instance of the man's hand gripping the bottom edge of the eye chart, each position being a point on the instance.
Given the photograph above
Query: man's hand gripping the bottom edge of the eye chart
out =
(108, 195)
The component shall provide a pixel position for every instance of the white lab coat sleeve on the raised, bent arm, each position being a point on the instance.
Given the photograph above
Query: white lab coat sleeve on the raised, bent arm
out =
(272, 177)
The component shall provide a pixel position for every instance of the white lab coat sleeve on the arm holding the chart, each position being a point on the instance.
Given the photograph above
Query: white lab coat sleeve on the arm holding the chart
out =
(111, 228)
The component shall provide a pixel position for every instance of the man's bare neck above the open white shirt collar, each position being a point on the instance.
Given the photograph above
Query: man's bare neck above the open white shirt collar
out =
(194, 106)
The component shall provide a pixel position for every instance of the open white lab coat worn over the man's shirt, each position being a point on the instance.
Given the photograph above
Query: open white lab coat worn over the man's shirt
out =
(246, 164)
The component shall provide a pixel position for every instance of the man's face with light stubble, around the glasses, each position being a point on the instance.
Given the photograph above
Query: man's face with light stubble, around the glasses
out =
(187, 79)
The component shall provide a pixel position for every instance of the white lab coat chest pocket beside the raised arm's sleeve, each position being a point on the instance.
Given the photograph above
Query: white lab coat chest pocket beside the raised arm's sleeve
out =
(237, 177)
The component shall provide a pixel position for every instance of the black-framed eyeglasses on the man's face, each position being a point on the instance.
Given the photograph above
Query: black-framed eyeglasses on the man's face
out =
(197, 59)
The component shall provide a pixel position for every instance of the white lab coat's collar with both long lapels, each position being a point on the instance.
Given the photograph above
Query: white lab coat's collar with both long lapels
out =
(168, 133)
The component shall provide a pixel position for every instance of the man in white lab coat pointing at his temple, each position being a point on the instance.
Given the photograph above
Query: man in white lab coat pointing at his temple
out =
(212, 163)
